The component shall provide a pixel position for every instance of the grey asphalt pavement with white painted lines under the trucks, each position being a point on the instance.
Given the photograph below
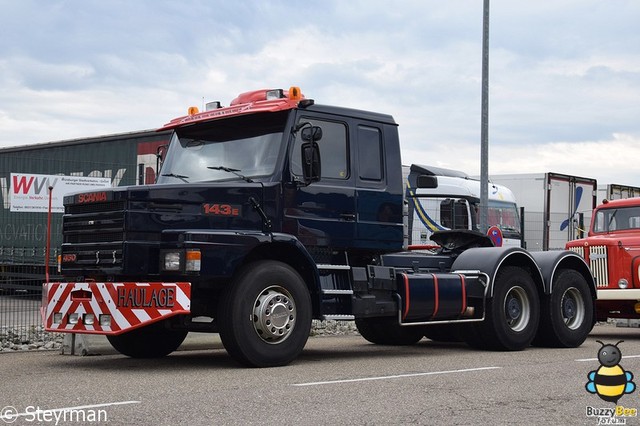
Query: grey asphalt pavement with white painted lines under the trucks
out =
(338, 380)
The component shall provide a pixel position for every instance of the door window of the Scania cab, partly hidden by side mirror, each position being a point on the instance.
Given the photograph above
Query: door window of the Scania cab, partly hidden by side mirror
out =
(334, 150)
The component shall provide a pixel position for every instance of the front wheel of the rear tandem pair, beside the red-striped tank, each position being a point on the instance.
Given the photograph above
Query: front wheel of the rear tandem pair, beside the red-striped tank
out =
(512, 316)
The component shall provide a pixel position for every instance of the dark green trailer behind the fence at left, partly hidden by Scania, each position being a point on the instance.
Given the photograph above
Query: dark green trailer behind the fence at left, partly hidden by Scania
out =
(127, 159)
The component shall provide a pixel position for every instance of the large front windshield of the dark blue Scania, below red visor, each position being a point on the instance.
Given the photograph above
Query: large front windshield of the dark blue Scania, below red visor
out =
(227, 149)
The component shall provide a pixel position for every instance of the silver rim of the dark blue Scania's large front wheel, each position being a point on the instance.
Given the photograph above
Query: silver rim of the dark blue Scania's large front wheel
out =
(274, 314)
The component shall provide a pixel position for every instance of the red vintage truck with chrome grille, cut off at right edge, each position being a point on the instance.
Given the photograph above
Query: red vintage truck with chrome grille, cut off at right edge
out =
(612, 250)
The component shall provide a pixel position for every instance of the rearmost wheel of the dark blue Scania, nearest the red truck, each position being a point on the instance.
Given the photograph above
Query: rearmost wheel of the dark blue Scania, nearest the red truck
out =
(566, 315)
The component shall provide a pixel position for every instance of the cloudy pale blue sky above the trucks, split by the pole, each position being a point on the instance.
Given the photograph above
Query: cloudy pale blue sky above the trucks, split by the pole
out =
(564, 75)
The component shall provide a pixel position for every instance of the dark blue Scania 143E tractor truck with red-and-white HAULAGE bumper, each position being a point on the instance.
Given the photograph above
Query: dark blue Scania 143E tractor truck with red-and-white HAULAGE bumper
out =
(274, 211)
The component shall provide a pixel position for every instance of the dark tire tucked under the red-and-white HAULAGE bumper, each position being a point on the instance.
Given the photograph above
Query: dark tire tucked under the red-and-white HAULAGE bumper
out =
(151, 341)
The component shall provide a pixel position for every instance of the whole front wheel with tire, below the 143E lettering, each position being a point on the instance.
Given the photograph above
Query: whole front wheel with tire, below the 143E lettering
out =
(265, 315)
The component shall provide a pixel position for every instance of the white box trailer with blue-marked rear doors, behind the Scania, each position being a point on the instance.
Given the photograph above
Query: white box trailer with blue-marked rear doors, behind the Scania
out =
(557, 207)
